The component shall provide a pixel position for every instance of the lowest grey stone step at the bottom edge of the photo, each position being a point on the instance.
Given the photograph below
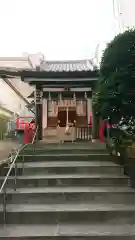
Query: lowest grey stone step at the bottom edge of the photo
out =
(68, 232)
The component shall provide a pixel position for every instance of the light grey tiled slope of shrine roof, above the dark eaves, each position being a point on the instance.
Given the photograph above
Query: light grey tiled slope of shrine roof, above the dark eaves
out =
(67, 66)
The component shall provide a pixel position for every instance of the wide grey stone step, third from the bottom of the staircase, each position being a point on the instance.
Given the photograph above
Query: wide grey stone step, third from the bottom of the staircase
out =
(57, 195)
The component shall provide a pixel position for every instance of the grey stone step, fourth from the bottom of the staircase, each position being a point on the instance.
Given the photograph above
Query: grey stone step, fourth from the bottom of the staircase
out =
(68, 179)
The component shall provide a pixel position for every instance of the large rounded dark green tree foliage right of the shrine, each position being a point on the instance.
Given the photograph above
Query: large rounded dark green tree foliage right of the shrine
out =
(115, 95)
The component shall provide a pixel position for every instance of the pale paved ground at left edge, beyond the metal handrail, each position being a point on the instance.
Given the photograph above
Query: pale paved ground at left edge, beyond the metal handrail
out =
(6, 147)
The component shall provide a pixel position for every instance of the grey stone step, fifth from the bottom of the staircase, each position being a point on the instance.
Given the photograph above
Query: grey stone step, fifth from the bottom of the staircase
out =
(29, 168)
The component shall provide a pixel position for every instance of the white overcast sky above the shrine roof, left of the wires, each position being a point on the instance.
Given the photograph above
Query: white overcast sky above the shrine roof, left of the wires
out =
(61, 29)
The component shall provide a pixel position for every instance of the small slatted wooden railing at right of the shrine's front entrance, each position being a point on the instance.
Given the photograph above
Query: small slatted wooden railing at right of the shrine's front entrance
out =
(83, 133)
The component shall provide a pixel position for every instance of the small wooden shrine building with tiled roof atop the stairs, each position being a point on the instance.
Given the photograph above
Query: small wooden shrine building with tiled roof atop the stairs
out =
(63, 93)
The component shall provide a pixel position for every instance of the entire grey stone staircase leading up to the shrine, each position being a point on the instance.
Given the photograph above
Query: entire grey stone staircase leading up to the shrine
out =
(68, 192)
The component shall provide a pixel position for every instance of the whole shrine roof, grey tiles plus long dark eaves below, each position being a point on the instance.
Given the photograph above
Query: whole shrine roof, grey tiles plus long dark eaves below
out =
(55, 72)
